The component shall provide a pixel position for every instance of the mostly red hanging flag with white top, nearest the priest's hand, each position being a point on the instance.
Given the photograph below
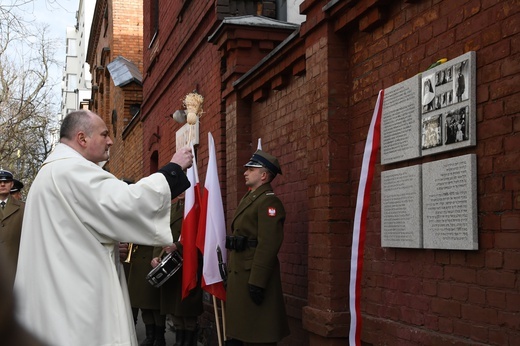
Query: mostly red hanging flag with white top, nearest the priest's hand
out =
(189, 231)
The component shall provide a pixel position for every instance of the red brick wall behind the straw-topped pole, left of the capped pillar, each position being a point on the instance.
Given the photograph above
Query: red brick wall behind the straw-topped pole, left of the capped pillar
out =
(184, 63)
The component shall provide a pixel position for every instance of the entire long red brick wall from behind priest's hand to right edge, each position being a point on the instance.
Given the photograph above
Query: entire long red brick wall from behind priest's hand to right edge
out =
(309, 92)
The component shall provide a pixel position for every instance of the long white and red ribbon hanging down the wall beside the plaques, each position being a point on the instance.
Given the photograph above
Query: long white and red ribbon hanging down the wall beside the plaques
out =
(358, 238)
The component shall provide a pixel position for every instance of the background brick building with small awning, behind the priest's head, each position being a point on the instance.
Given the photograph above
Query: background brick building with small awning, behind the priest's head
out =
(115, 55)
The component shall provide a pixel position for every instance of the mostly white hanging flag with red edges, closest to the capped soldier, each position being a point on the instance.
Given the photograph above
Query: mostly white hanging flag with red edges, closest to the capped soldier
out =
(212, 229)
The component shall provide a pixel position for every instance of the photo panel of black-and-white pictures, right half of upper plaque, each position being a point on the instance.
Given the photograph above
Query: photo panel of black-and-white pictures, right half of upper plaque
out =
(448, 105)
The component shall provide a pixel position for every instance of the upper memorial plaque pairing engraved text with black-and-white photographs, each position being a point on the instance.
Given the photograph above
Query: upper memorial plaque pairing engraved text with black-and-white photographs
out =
(432, 112)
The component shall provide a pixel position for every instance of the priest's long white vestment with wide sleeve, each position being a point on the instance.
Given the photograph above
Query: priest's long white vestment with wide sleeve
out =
(69, 287)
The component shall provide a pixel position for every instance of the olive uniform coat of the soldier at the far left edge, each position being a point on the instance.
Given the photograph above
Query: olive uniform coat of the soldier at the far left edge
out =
(10, 229)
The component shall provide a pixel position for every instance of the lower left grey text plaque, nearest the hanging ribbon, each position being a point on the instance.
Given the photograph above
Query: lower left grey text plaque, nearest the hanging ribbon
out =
(401, 213)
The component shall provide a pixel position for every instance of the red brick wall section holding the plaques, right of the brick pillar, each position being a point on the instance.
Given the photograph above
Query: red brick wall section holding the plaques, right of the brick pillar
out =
(432, 297)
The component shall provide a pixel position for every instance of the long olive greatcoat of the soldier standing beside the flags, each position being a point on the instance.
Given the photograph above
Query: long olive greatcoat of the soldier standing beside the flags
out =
(259, 216)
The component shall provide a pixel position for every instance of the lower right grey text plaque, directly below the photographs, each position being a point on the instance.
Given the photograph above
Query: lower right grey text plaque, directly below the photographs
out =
(450, 203)
